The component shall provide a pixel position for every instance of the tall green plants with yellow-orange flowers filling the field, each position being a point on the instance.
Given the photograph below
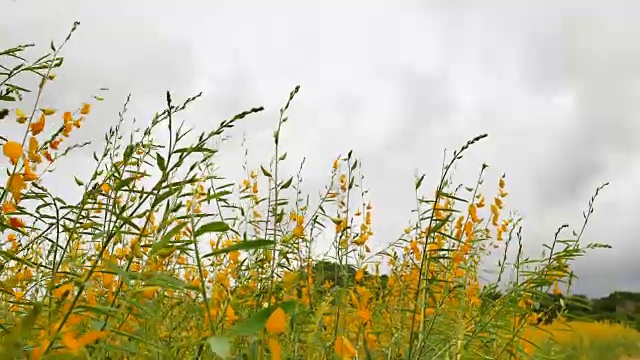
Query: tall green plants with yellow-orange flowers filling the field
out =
(161, 258)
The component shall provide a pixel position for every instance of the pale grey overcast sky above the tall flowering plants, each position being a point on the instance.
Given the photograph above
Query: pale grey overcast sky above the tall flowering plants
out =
(555, 84)
